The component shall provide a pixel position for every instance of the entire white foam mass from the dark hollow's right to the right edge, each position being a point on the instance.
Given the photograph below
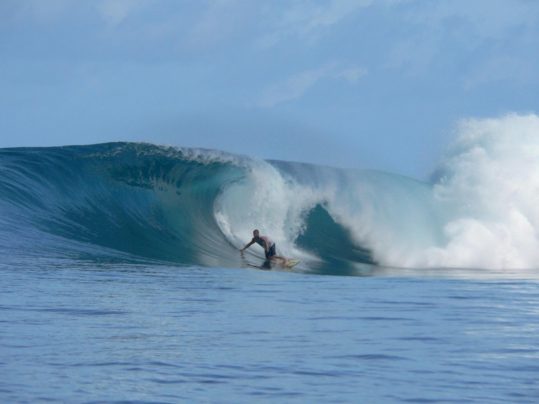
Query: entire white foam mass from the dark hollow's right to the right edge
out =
(482, 212)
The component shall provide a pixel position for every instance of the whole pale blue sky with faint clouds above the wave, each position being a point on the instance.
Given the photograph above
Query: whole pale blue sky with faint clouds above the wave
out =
(364, 83)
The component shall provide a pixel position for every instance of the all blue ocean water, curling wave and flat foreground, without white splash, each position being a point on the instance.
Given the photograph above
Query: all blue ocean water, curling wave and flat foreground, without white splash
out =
(121, 281)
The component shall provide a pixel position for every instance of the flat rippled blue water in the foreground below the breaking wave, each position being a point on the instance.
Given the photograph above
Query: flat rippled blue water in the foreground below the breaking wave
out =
(78, 332)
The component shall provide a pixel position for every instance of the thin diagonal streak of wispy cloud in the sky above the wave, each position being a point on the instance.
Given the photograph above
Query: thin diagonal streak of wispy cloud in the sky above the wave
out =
(297, 85)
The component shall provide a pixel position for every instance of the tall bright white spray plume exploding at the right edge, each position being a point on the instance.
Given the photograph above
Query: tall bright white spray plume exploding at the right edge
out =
(491, 182)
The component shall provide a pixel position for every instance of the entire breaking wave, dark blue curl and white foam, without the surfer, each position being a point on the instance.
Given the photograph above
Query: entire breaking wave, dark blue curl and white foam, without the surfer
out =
(130, 201)
